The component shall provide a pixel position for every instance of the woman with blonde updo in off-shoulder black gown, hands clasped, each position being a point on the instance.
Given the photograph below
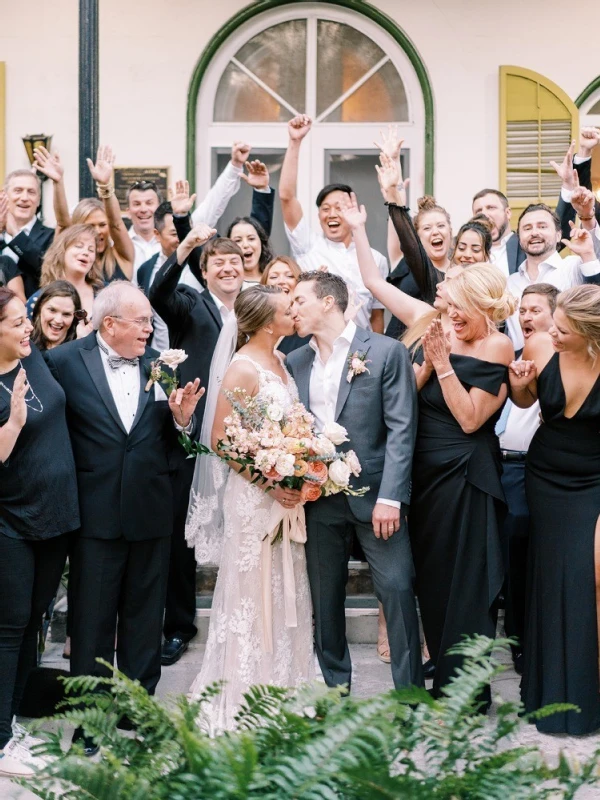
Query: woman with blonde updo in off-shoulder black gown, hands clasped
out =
(462, 375)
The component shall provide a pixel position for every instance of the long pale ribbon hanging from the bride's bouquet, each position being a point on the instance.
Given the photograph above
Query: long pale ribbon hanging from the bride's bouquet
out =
(294, 530)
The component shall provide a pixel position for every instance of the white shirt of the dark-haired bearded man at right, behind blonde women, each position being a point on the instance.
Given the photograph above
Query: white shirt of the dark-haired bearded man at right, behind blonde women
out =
(560, 272)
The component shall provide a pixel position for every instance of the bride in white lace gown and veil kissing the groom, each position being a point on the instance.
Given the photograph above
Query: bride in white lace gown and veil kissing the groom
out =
(254, 637)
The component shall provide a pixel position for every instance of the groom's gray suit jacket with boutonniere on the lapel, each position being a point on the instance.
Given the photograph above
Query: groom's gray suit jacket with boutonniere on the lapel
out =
(379, 411)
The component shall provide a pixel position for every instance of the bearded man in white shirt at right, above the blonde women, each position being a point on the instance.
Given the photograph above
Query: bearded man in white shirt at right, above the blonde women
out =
(539, 233)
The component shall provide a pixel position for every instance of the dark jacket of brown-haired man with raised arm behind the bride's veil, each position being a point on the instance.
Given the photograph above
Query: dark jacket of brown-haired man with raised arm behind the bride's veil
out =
(193, 320)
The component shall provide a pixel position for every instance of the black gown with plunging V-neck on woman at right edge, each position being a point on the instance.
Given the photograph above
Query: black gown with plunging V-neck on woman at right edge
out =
(563, 492)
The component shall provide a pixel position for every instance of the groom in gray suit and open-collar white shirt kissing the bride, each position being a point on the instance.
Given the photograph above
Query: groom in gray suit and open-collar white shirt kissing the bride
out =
(378, 408)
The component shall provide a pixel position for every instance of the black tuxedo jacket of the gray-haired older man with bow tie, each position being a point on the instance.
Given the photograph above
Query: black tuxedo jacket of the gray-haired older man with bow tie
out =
(123, 478)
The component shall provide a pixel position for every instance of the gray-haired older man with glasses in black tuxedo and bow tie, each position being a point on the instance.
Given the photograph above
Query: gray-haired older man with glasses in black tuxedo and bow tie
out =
(124, 435)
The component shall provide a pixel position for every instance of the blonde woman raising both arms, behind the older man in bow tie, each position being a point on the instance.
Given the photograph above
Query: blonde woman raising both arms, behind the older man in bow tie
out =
(115, 254)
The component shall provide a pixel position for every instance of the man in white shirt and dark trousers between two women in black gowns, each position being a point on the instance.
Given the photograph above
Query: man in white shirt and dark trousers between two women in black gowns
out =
(515, 429)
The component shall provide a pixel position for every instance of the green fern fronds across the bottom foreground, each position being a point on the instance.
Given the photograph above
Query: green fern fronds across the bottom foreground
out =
(312, 745)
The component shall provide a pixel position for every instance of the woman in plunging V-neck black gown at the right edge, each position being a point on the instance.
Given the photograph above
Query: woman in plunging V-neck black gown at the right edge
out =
(561, 369)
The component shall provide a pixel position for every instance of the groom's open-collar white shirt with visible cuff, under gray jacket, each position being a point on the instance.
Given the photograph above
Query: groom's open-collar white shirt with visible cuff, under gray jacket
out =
(325, 380)
